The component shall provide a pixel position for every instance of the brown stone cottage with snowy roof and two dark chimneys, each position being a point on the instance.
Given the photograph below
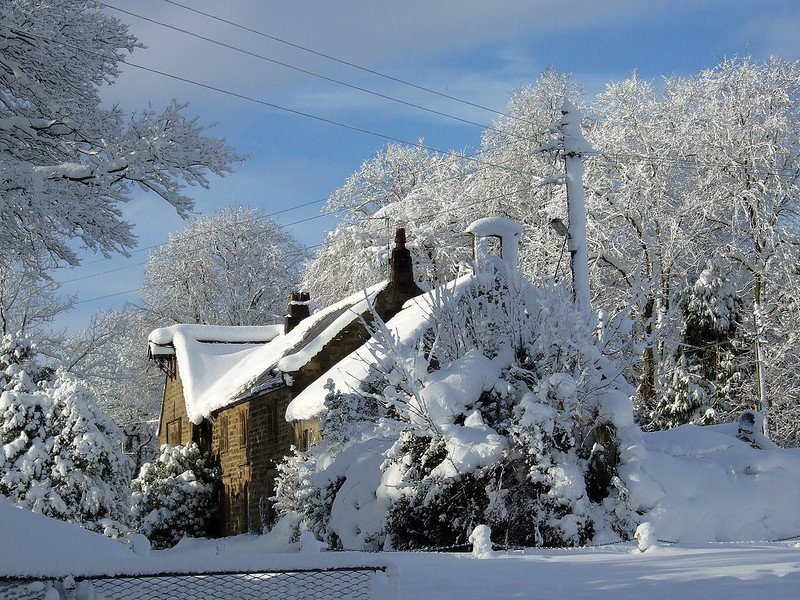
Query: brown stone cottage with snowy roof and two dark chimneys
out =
(228, 388)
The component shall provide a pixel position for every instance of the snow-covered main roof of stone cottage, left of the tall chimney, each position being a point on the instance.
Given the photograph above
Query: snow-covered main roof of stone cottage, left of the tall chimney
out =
(215, 375)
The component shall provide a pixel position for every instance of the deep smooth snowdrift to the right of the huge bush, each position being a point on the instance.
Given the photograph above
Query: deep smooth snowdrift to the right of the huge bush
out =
(703, 484)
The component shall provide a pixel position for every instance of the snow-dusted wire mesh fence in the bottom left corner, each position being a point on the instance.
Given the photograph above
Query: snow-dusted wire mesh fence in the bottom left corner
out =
(306, 584)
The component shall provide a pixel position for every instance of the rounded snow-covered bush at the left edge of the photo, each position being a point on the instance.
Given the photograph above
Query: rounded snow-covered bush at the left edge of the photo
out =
(61, 456)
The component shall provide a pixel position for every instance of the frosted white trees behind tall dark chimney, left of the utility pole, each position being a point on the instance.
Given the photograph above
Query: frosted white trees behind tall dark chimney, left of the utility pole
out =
(435, 197)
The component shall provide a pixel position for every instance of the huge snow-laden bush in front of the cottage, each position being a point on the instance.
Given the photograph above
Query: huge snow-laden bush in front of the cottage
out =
(501, 411)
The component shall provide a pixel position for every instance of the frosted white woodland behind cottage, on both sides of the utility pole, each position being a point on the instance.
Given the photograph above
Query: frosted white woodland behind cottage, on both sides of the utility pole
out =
(684, 169)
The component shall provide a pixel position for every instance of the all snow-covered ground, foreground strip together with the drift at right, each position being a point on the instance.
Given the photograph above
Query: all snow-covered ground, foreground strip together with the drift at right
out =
(702, 483)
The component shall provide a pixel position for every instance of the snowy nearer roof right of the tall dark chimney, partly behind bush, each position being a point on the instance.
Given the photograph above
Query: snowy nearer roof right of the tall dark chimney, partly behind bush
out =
(347, 374)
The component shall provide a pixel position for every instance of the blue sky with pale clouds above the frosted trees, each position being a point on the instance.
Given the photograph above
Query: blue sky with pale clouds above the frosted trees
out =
(472, 49)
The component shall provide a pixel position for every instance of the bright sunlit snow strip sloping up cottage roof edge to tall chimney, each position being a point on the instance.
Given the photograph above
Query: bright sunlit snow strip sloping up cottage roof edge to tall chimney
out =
(237, 383)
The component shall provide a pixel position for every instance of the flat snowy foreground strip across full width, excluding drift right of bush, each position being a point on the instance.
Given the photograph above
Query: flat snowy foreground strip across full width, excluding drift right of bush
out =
(31, 543)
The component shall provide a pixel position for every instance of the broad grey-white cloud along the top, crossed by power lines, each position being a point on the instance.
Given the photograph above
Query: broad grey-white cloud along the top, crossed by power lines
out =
(380, 34)
